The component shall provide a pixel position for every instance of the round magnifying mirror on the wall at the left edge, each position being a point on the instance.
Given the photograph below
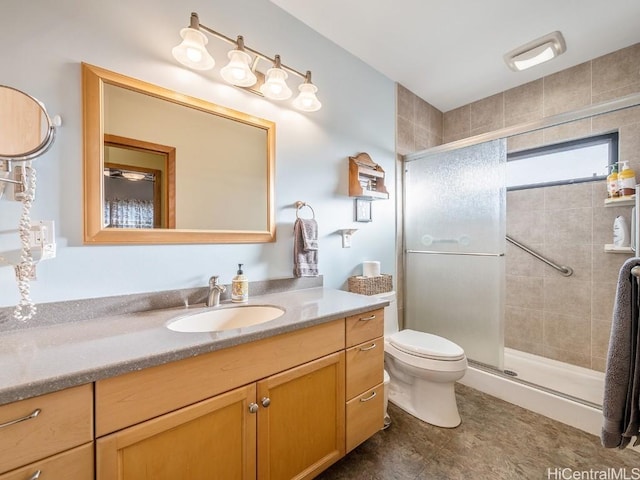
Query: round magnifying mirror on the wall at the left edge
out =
(26, 130)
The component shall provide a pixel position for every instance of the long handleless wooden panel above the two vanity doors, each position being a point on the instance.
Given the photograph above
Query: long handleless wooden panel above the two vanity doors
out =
(138, 396)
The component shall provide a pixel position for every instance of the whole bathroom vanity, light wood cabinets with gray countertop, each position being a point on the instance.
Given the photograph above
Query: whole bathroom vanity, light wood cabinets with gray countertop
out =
(280, 400)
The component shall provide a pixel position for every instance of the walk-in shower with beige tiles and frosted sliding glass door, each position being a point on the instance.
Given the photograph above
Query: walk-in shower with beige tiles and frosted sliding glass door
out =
(520, 277)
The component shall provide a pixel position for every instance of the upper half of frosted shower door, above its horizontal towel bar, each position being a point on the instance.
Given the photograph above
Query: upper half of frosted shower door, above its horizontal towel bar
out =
(455, 201)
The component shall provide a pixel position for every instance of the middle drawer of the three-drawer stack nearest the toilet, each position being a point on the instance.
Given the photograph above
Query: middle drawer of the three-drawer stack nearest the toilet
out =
(365, 366)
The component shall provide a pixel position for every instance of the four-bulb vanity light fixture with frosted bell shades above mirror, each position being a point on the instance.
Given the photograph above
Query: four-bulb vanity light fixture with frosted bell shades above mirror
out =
(241, 69)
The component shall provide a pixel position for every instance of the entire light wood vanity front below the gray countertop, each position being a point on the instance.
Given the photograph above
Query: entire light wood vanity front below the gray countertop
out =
(286, 407)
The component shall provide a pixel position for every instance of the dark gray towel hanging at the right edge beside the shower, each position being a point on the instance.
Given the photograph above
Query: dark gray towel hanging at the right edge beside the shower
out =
(620, 406)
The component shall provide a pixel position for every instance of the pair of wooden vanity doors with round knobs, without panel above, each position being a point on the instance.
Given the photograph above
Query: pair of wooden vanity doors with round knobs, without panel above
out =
(291, 423)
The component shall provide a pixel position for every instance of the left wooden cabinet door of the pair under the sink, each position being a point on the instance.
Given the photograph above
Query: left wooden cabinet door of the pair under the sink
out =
(214, 438)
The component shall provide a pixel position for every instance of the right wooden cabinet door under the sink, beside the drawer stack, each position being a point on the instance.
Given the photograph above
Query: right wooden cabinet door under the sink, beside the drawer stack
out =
(302, 430)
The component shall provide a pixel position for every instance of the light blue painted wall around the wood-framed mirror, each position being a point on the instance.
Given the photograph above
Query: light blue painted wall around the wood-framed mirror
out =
(41, 46)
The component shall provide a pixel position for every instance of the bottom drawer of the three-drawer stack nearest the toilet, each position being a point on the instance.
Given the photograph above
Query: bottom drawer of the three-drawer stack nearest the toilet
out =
(365, 416)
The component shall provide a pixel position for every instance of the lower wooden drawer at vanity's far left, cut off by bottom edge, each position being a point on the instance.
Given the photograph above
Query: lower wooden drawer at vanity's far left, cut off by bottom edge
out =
(75, 464)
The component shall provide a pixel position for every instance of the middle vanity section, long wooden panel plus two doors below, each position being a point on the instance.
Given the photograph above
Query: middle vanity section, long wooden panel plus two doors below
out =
(287, 423)
